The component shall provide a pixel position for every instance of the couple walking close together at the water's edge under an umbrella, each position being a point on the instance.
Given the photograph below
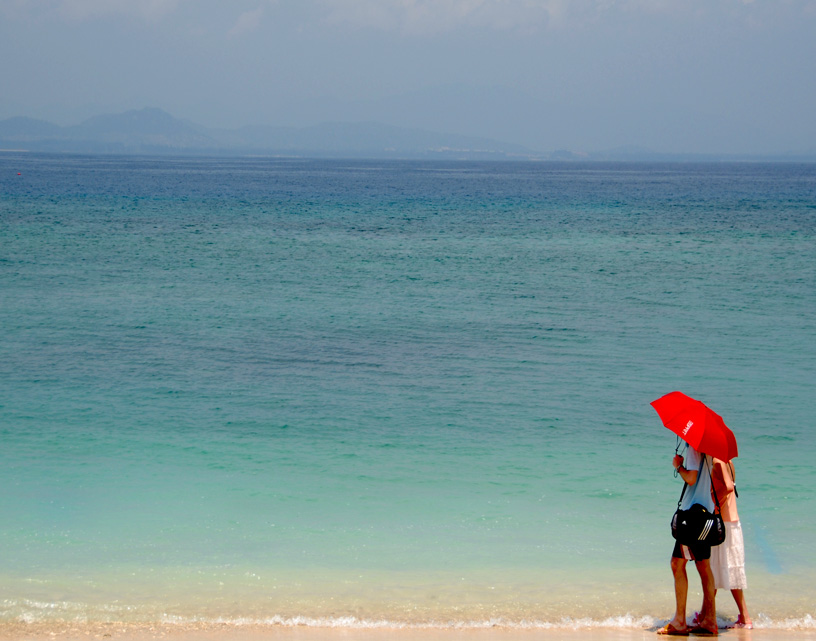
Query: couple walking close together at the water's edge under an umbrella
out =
(720, 567)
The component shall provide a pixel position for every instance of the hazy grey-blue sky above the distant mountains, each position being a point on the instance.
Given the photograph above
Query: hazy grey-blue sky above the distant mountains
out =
(670, 75)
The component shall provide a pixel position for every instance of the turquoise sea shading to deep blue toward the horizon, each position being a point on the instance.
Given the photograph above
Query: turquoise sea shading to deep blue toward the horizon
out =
(406, 393)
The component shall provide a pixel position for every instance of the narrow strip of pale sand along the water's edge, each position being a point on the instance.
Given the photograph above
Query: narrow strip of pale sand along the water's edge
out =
(223, 632)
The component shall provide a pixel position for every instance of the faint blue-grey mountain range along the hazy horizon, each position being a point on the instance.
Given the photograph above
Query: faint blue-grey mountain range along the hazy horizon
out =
(154, 131)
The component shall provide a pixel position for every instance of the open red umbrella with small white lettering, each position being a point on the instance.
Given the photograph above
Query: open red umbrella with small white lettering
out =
(697, 425)
